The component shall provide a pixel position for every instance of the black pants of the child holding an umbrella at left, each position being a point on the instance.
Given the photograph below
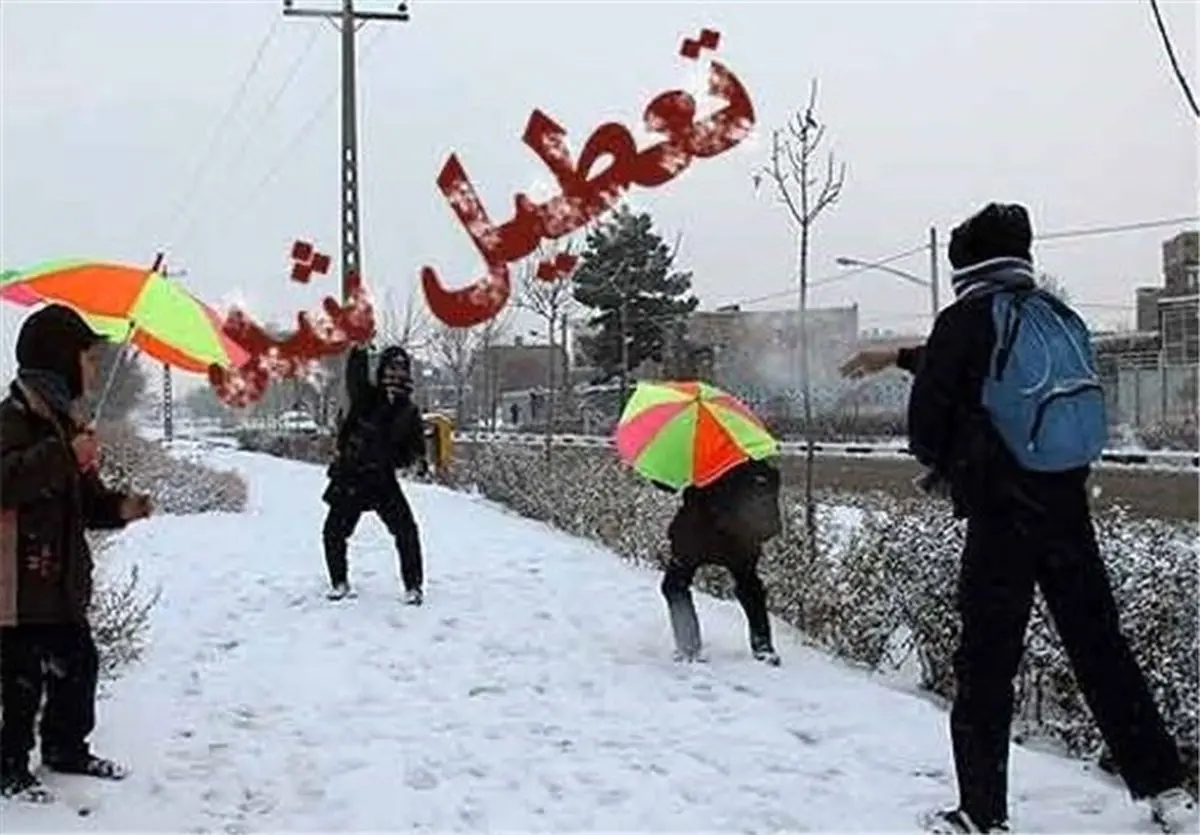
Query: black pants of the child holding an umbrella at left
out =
(59, 662)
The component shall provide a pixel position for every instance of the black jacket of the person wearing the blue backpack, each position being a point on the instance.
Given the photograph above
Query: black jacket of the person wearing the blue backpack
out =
(949, 428)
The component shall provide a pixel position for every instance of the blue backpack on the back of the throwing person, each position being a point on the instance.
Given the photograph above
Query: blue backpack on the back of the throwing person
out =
(1042, 393)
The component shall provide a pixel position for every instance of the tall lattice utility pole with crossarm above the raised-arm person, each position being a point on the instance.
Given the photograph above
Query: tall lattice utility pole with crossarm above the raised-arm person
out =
(347, 21)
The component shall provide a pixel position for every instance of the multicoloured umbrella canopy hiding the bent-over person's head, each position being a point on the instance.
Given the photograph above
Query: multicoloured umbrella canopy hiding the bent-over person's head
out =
(689, 434)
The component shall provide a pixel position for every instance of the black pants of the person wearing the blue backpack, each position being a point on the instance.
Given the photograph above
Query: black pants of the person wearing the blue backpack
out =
(1006, 556)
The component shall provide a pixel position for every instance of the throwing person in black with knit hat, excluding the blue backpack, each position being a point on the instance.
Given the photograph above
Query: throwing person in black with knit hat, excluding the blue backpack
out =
(1025, 530)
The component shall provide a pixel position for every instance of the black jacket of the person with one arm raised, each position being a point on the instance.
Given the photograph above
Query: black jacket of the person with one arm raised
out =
(377, 437)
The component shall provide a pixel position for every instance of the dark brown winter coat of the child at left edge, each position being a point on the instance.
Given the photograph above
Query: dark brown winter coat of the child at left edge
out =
(46, 504)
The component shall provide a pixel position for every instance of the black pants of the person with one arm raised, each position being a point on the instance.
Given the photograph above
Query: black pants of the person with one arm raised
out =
(347, 503)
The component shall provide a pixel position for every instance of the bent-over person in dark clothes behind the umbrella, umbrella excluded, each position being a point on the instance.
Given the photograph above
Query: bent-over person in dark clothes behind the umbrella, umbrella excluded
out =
(723, 524)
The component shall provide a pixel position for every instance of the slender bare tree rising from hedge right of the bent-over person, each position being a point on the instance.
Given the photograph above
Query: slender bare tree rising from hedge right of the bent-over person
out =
(807, 193)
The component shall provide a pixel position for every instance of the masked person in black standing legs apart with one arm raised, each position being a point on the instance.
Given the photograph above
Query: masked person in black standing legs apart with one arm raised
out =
(382, 432)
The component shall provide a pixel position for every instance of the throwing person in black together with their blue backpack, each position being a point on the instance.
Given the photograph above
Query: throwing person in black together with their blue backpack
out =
(1007, 415)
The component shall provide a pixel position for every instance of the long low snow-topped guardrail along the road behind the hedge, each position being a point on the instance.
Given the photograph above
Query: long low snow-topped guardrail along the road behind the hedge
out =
(1139, 459)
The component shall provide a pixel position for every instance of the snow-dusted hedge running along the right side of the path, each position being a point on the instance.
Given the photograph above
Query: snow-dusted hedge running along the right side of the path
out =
(881, 591)
